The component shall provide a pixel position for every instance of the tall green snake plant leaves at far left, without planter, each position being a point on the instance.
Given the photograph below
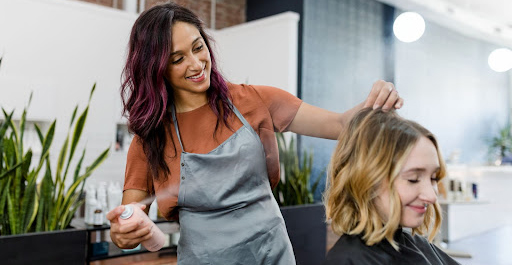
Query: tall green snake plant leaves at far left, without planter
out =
(27, 205)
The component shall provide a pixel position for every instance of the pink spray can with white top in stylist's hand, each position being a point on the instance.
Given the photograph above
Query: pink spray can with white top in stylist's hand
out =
(135, 214)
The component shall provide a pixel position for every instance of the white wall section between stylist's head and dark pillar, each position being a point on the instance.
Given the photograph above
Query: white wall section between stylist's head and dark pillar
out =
(262, 52)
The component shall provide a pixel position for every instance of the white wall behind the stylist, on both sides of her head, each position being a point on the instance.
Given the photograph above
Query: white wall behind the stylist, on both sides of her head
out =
(58, 49)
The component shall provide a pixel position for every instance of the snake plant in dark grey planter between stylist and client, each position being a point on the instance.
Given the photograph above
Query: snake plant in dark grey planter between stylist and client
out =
(305, 220)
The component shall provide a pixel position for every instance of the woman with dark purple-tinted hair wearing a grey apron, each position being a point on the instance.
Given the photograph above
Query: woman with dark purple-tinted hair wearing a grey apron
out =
(206, 148)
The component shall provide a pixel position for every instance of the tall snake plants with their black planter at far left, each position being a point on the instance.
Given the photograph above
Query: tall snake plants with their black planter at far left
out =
(30, 204)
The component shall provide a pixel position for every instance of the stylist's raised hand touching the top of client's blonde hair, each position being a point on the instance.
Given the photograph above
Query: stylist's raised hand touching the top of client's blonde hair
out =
(383, 94)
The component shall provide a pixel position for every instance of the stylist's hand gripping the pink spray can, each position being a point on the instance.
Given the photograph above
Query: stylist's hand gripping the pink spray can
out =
(128, 235)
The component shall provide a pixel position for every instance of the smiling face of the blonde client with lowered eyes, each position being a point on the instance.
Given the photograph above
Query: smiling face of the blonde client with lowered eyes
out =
(416, 185)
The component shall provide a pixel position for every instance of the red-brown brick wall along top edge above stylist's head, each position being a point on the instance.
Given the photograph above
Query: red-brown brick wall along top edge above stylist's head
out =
(227, 12)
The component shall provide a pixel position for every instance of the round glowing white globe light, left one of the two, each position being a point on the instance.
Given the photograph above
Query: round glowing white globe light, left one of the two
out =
(409, 26)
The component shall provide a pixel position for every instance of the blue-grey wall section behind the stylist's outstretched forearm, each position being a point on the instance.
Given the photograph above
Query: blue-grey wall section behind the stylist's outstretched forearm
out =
(343, 55)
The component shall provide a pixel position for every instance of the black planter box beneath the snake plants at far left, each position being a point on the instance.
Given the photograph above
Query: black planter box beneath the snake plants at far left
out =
(66, 247)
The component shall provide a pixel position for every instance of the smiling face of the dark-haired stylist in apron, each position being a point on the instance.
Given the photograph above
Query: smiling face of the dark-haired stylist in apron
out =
(190, 64)
